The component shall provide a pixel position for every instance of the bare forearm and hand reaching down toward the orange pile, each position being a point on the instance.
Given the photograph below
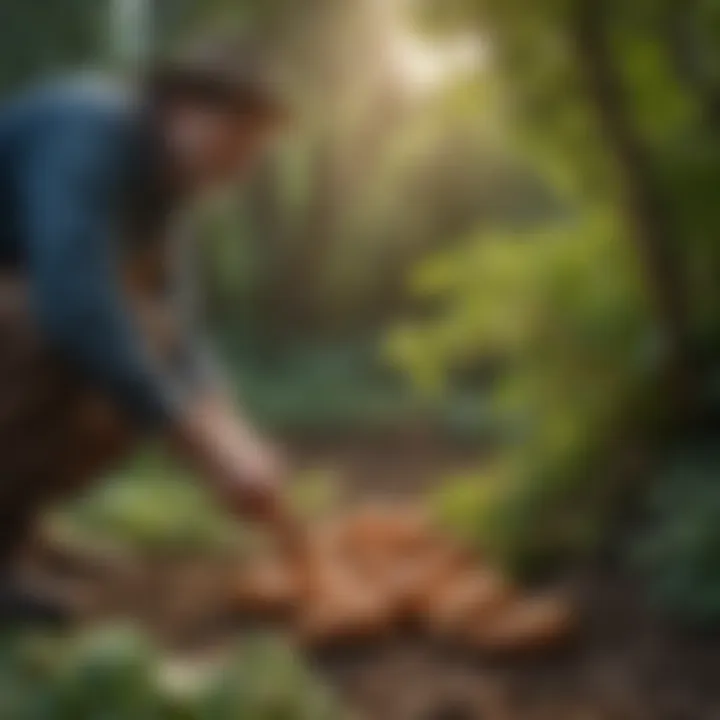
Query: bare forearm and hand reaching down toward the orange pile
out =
(244, 471)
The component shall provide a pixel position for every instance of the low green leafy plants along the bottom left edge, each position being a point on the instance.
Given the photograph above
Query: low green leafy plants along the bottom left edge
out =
(116, 673)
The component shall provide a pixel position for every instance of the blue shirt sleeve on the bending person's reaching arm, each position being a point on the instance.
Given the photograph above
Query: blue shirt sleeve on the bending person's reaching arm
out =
(70, 211)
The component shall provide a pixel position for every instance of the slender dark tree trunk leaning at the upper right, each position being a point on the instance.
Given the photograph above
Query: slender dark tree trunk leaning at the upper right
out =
(645, 207)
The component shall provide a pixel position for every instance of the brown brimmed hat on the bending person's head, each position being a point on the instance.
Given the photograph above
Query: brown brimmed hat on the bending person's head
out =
(232, 75)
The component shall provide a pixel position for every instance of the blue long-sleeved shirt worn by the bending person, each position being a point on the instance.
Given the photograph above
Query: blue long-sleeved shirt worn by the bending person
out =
(67, 214)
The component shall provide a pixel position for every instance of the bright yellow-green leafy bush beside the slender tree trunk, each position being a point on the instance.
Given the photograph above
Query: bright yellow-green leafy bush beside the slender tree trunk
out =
(561, 312)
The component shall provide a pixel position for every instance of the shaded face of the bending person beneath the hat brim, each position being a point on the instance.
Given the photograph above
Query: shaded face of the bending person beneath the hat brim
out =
(215, 148)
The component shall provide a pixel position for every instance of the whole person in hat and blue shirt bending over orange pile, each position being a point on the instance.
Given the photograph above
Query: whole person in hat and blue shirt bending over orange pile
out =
(93, 178)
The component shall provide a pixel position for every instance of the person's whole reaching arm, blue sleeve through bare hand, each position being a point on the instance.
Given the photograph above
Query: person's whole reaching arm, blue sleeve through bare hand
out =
(69, 200)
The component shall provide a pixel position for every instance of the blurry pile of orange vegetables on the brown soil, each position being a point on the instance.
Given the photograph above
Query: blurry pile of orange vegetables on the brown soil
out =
(361, 575)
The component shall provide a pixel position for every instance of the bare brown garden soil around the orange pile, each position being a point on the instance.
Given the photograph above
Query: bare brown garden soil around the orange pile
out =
(628, 664)
